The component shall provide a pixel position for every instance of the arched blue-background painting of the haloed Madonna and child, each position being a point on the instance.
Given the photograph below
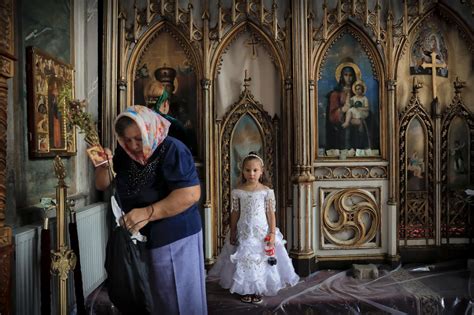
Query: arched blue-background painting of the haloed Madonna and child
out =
(348, 101)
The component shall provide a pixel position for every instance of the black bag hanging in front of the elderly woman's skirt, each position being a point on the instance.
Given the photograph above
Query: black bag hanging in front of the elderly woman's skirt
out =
(127, 274)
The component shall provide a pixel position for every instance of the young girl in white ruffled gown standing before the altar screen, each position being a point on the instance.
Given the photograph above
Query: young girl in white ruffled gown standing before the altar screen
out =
(243, 265)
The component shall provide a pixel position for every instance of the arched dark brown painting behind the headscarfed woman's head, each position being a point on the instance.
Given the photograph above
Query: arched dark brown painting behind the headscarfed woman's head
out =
(165, 61)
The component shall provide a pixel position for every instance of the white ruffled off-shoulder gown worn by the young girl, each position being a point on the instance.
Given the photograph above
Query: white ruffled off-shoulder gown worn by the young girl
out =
(244, 268)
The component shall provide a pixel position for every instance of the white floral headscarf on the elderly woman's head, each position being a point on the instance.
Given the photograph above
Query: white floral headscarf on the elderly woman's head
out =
(153, 127)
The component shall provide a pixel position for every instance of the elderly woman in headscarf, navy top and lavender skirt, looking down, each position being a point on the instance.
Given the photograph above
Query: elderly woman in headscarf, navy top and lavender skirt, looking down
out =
(157, 187)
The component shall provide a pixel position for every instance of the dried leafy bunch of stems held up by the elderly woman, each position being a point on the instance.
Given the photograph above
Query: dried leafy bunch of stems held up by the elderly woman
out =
(76, 115)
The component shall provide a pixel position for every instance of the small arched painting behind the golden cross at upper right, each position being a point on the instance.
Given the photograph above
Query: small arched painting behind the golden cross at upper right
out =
(429, 52)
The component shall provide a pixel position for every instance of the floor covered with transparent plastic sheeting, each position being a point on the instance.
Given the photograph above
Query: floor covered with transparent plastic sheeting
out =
(446, 288)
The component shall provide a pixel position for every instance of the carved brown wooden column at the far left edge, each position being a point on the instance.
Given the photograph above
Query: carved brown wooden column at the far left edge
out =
(6, 72)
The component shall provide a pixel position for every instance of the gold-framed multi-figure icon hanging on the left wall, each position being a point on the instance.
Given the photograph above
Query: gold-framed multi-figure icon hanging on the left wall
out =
(47, 80)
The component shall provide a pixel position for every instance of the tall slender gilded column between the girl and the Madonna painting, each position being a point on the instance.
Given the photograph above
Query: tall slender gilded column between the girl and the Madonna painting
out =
(302, 241)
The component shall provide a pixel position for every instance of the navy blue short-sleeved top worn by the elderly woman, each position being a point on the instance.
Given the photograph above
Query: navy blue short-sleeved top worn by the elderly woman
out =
(170, 167)
